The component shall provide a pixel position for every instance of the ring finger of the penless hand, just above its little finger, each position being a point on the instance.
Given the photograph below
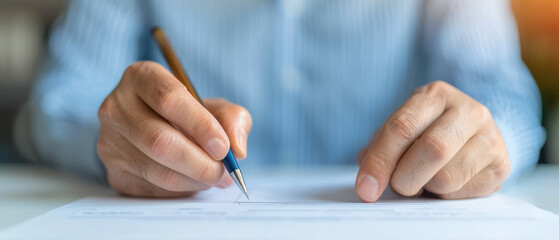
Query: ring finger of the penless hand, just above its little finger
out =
(475, 156)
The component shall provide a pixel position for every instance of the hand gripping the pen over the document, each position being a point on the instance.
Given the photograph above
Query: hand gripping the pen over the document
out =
(156, 140)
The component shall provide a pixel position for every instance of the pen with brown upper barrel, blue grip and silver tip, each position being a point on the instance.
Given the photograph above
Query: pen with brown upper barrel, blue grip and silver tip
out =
(229, 161)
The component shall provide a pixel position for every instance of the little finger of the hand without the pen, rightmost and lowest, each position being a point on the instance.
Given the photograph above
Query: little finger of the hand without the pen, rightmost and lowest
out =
(488, 181)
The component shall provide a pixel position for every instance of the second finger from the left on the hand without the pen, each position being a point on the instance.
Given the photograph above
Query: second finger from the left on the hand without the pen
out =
(434, 149)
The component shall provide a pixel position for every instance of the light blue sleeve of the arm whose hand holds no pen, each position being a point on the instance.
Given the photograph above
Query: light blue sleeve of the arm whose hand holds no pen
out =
(473, 44)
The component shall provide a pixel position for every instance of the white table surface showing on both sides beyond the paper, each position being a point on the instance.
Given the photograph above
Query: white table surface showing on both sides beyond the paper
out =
(27, 191)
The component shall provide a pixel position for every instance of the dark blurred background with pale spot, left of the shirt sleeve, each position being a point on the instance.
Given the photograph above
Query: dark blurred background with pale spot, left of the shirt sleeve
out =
(24, 26)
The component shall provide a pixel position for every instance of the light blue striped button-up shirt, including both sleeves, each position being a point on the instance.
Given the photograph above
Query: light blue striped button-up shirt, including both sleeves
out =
(318, 76)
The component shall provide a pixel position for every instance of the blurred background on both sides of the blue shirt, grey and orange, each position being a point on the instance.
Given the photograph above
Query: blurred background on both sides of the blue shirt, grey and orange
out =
(24, 26)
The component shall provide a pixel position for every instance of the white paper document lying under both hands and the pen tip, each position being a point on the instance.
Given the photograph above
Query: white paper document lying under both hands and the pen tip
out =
(303, 204)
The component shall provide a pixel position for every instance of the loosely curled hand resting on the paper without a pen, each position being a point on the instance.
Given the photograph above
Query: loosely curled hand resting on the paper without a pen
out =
(440, 140)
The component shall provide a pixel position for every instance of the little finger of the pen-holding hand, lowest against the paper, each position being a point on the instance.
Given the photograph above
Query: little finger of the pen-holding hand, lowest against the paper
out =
(132, 185)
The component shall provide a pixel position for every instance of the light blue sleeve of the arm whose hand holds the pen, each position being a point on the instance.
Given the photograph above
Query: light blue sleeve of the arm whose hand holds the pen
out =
(89, 48)
